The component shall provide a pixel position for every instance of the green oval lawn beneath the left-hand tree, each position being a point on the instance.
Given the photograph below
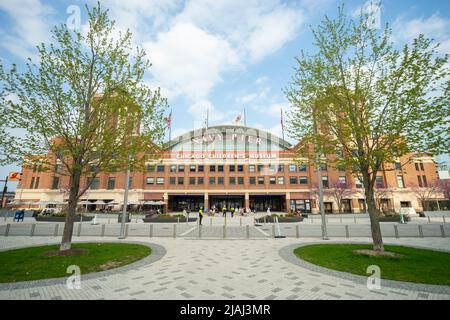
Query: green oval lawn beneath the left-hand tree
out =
(30, 263)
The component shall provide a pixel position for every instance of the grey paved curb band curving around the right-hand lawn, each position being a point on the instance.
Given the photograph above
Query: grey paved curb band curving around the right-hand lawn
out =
(287, 253)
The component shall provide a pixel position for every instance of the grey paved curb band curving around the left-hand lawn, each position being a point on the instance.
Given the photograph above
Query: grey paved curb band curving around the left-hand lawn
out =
(157, 253)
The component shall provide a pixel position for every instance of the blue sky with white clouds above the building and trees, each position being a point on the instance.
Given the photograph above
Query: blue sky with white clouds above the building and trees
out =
(221, 55)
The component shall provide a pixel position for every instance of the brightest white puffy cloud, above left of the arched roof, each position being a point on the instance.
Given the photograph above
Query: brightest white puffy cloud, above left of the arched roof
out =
(189, 60)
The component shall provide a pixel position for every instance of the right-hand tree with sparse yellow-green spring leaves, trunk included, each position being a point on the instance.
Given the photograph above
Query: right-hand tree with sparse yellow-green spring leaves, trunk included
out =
(359, 96)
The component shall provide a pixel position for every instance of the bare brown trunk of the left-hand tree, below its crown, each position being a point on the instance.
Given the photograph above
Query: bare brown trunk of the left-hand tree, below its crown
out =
(66, 241)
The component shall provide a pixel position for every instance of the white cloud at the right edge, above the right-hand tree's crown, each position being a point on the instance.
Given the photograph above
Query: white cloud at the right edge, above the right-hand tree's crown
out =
(435, 26)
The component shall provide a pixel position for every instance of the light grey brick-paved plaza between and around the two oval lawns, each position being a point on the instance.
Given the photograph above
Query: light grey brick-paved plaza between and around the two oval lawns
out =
(189, 268)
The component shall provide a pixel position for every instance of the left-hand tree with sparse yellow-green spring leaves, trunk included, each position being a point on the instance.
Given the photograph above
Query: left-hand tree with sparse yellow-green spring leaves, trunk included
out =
(86, 104)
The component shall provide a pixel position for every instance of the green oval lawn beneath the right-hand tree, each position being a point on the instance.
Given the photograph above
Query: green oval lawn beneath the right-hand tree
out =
(416, 265)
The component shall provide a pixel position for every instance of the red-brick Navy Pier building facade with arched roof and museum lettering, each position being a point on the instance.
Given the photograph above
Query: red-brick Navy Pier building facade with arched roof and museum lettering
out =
(233, 166)
